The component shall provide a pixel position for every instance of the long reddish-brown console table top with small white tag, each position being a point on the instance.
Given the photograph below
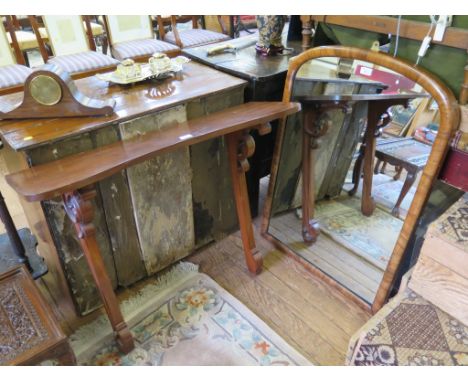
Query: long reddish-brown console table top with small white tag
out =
(55, 178)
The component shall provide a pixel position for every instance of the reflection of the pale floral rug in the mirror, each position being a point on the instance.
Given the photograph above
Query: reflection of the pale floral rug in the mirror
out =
(371, 238)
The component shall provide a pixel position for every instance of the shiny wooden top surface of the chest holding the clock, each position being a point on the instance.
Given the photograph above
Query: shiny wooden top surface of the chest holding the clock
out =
(132, 101)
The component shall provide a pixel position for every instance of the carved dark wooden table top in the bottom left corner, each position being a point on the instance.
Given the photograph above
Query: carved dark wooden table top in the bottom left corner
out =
(29, 333)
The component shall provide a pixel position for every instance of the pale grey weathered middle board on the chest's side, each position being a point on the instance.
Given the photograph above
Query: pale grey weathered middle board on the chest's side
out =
(161, 195)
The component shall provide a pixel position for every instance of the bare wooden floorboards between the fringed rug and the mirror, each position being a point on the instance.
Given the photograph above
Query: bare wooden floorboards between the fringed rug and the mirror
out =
(307, 312)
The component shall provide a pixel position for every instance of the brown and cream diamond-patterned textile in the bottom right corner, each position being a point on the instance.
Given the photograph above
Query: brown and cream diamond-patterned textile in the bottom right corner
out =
(410, 331)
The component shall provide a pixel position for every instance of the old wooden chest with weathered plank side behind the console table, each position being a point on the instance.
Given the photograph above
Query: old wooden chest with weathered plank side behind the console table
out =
(144, 222)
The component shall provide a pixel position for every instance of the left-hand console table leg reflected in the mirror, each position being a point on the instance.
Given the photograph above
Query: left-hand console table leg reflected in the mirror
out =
(310, 226)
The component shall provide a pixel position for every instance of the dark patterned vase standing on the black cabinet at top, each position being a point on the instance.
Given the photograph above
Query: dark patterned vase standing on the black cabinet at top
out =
(270, 29)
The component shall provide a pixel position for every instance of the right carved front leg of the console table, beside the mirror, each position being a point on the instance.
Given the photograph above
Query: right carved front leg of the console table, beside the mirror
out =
(241, 146)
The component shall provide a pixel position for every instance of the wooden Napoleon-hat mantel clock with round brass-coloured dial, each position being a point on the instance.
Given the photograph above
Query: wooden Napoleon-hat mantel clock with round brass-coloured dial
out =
(50, 92)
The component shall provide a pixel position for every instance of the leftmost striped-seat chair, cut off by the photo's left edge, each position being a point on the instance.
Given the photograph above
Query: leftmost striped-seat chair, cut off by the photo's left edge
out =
(13, 72)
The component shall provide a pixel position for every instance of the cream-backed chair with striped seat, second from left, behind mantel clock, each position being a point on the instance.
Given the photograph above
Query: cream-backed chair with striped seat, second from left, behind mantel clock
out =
(72, 46)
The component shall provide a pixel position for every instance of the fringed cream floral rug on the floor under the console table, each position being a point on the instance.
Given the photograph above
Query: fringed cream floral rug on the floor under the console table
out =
(186, 318)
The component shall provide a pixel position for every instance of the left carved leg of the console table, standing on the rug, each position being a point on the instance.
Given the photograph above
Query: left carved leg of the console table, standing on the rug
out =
(79, 208)
